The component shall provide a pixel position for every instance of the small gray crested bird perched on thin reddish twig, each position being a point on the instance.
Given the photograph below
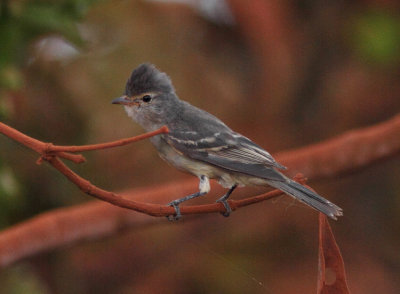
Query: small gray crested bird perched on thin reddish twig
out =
(201, 144)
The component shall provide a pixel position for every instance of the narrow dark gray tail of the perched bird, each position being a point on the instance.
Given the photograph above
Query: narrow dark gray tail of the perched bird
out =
(308, 197)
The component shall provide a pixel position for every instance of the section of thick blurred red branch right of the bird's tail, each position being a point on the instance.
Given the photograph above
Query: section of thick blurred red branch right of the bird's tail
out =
(347, 153)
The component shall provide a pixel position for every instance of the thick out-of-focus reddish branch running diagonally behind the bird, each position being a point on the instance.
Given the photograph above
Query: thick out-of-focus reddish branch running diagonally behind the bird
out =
(97, 220)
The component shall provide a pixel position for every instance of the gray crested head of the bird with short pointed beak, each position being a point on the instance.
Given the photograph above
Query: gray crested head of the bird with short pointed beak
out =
(149, 97)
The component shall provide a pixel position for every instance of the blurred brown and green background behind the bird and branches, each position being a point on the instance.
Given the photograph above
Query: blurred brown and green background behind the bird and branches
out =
(284, 73)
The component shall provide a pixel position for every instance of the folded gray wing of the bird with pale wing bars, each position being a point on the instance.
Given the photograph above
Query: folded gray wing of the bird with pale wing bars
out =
(227, 150)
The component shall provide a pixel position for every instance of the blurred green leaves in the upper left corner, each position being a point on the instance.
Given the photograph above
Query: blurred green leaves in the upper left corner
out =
(22, 22)
